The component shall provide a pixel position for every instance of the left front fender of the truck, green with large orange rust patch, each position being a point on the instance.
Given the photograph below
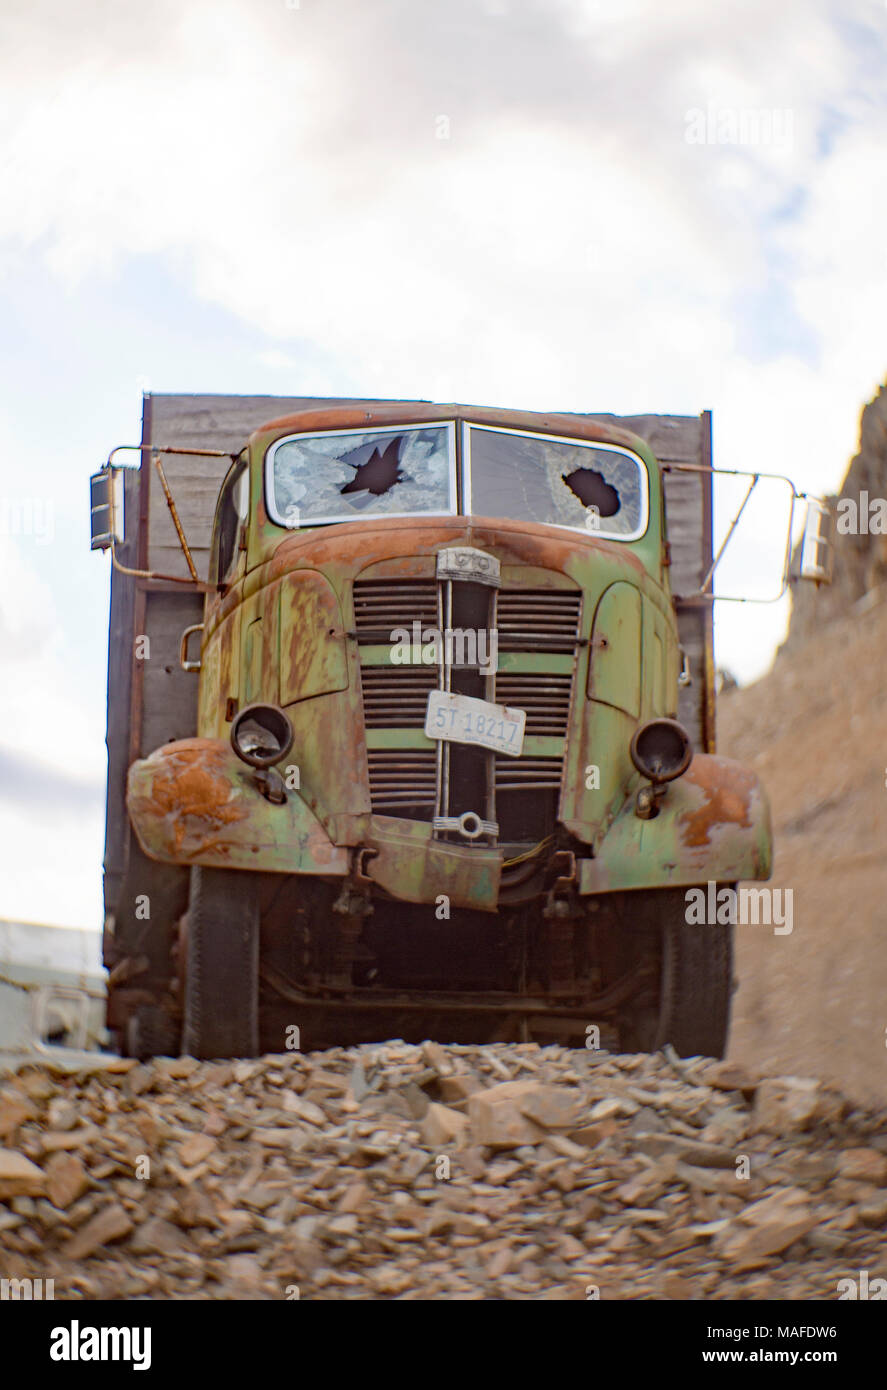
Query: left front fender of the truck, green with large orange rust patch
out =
(194, 803)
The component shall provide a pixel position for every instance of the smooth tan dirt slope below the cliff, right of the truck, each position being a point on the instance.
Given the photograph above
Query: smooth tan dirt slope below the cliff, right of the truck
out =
(815, 729)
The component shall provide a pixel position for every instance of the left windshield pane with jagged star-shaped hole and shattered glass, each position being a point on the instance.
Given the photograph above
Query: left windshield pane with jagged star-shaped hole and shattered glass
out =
(357, 475)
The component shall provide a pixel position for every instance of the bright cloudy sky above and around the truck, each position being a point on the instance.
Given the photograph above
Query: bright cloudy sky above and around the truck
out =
(535, 204)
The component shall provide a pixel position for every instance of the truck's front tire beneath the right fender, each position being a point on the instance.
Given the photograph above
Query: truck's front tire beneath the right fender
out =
(696, 986)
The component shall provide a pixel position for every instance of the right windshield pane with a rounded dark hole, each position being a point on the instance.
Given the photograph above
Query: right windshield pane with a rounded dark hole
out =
(558, 482)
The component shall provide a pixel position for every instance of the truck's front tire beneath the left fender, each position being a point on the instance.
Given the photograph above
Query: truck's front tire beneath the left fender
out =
(222, 971)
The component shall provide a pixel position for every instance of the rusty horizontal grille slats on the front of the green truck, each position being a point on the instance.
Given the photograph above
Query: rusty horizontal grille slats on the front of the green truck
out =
(404, 780)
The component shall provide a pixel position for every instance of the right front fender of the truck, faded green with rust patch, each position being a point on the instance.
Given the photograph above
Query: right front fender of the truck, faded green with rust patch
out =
(714, 825)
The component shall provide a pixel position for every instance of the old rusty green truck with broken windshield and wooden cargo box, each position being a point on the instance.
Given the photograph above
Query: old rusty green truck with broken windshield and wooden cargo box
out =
(439, 758)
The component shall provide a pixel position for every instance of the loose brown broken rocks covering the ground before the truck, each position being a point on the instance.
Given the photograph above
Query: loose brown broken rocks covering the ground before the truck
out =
(439, 1172)
